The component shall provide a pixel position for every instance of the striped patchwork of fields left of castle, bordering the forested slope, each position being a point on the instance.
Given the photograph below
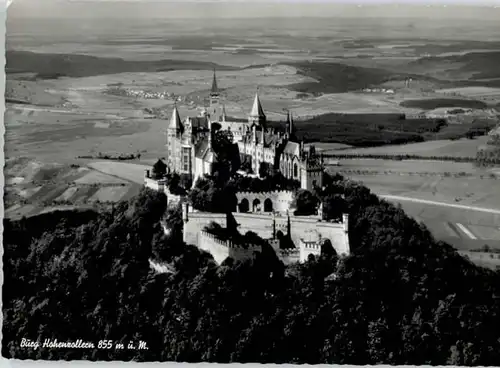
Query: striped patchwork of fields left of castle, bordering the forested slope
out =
(34, 187)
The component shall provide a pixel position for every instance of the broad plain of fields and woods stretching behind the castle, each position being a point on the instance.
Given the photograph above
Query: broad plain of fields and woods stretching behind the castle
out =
(344, 86)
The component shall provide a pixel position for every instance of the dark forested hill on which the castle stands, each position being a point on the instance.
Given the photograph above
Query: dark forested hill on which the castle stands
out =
(400, 298)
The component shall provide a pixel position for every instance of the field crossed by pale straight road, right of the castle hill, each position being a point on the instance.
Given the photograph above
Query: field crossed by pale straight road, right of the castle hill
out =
(459, 203)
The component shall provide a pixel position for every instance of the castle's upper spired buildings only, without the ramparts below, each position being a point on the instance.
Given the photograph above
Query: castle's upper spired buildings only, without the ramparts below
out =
(190, 150)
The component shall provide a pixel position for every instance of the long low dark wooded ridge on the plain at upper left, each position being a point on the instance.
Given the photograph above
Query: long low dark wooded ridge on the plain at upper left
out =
(53, 66)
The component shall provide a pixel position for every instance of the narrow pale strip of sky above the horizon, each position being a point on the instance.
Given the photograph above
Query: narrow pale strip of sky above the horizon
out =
(168, 9)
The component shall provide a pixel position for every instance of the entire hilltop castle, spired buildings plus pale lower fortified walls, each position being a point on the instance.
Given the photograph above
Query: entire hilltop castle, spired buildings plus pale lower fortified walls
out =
(293, 238)
